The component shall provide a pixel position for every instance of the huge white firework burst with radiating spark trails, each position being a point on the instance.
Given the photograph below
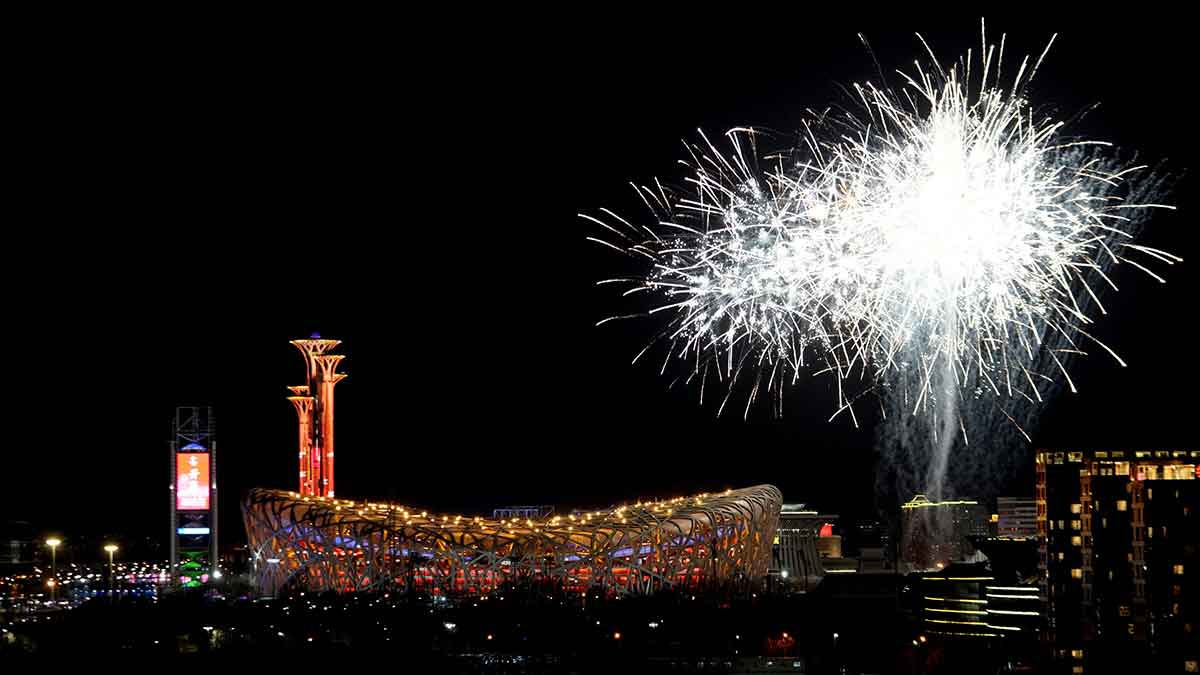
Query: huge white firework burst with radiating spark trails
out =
(946, 230)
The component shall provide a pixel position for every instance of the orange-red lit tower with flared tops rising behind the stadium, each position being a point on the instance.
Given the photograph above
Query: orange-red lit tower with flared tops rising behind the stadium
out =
(315, 409)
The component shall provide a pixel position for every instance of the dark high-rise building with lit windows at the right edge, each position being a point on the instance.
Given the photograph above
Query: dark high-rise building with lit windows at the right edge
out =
(1118, 546)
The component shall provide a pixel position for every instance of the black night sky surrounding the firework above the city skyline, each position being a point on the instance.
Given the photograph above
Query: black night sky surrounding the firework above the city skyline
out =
(188, 204)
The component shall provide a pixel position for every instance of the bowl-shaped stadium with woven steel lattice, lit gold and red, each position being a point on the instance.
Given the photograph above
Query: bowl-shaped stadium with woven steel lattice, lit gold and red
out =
(326, 545)
